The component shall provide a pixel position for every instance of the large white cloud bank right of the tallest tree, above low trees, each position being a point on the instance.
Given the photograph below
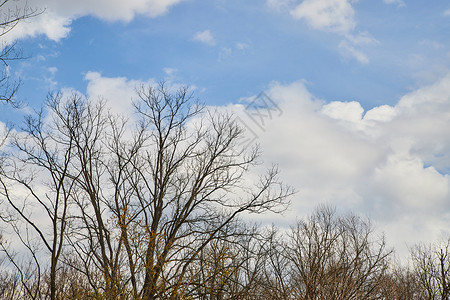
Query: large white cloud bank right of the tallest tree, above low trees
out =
(390, 162)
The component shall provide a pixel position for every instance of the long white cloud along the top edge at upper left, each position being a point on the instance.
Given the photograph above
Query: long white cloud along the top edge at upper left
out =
(57, 15)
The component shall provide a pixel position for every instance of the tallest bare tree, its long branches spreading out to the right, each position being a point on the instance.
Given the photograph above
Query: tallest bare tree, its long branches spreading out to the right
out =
(190, 184)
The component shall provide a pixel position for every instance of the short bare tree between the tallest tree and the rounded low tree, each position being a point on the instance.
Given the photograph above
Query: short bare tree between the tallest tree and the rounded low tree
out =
(229, 268)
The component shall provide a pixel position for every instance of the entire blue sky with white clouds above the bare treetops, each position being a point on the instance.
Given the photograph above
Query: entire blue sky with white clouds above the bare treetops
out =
(358, 91)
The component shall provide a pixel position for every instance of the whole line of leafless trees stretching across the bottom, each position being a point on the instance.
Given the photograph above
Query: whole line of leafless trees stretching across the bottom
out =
(149, 206)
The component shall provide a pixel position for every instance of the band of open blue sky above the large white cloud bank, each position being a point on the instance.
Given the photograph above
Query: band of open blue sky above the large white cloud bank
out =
(252, 44)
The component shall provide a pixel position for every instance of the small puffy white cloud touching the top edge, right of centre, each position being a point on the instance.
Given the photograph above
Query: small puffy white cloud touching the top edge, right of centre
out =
(328, 15)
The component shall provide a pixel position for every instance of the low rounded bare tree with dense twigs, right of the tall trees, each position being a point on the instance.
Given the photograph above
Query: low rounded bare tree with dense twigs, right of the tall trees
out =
(328, 256)
